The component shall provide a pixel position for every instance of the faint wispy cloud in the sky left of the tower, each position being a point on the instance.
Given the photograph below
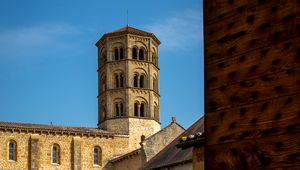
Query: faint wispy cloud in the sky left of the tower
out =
(35, 41)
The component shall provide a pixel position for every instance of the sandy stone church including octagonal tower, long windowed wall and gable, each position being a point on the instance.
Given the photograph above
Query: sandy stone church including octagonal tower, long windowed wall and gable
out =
(128, 115)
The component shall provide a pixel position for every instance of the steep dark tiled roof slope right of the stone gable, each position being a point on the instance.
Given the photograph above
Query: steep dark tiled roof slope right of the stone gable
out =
(171, 155)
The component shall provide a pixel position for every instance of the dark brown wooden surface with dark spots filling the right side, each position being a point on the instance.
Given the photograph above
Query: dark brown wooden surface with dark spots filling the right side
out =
(252, 74)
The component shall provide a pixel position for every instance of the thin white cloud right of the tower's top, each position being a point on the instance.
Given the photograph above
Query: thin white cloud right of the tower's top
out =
(178, 31)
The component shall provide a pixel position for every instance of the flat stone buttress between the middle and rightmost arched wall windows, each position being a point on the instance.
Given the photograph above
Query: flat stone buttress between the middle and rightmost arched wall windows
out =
(76, 153)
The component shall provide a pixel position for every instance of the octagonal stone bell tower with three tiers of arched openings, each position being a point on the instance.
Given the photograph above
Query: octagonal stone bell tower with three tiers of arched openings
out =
(128, 80)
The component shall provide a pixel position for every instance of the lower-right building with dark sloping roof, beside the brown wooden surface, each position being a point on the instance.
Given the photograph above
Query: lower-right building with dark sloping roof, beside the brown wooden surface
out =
(181, 154)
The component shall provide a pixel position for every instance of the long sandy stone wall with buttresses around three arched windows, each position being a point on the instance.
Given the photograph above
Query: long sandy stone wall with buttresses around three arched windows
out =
(76, 152)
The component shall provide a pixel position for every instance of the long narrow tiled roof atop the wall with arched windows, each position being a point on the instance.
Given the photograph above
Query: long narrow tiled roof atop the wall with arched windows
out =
(52, 128)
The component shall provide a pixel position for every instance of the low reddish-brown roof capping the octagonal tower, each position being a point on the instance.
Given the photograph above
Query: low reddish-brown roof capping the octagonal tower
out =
(128, 30)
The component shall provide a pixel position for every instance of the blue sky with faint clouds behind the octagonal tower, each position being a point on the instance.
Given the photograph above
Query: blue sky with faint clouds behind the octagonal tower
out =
(48, 57)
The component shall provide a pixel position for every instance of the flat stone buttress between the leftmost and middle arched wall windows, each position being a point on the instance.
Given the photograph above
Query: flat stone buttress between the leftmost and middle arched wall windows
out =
(34, 152)
